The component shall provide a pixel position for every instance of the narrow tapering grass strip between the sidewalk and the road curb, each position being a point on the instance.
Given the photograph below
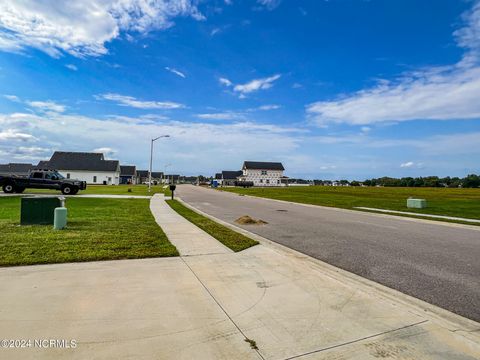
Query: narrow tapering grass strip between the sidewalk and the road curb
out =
(228, 237)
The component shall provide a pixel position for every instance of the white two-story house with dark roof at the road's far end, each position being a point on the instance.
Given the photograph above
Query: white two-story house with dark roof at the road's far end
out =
(262, 173)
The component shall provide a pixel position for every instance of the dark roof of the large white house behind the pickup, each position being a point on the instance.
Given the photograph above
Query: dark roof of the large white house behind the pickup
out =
(79, 161)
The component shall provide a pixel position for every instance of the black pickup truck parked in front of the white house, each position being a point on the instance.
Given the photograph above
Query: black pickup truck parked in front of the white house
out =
(41, 179)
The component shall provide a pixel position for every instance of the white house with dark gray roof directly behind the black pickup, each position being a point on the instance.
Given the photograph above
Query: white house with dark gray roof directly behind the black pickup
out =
(89, 167)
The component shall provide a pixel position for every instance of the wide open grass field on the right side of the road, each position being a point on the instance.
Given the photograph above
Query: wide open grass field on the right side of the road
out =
(440, 201)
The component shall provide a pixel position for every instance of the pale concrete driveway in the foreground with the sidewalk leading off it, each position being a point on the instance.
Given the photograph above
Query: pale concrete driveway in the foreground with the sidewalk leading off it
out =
(206, 306)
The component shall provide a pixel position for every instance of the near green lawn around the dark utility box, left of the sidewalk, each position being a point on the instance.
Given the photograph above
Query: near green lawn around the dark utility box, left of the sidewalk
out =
(98, 229)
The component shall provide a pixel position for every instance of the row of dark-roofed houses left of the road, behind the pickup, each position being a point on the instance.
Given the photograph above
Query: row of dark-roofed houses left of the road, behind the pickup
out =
(90, 167)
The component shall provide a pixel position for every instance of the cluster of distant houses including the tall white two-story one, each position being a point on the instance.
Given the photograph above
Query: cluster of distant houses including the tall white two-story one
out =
(257, 173)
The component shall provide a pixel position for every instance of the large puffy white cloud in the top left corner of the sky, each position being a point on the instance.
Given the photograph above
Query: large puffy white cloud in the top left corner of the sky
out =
(83, 27)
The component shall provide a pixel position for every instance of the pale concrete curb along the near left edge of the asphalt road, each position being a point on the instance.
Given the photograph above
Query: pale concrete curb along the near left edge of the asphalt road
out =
(451, 320)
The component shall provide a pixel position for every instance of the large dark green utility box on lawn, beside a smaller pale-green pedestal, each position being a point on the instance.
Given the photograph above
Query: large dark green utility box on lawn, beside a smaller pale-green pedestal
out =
(39, 210)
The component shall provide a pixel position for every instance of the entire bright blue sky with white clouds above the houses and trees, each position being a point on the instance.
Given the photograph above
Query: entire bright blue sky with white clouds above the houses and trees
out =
(333, 89)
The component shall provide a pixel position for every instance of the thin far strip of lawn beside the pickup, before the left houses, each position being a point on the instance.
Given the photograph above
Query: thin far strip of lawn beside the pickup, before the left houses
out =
(107, 190)
